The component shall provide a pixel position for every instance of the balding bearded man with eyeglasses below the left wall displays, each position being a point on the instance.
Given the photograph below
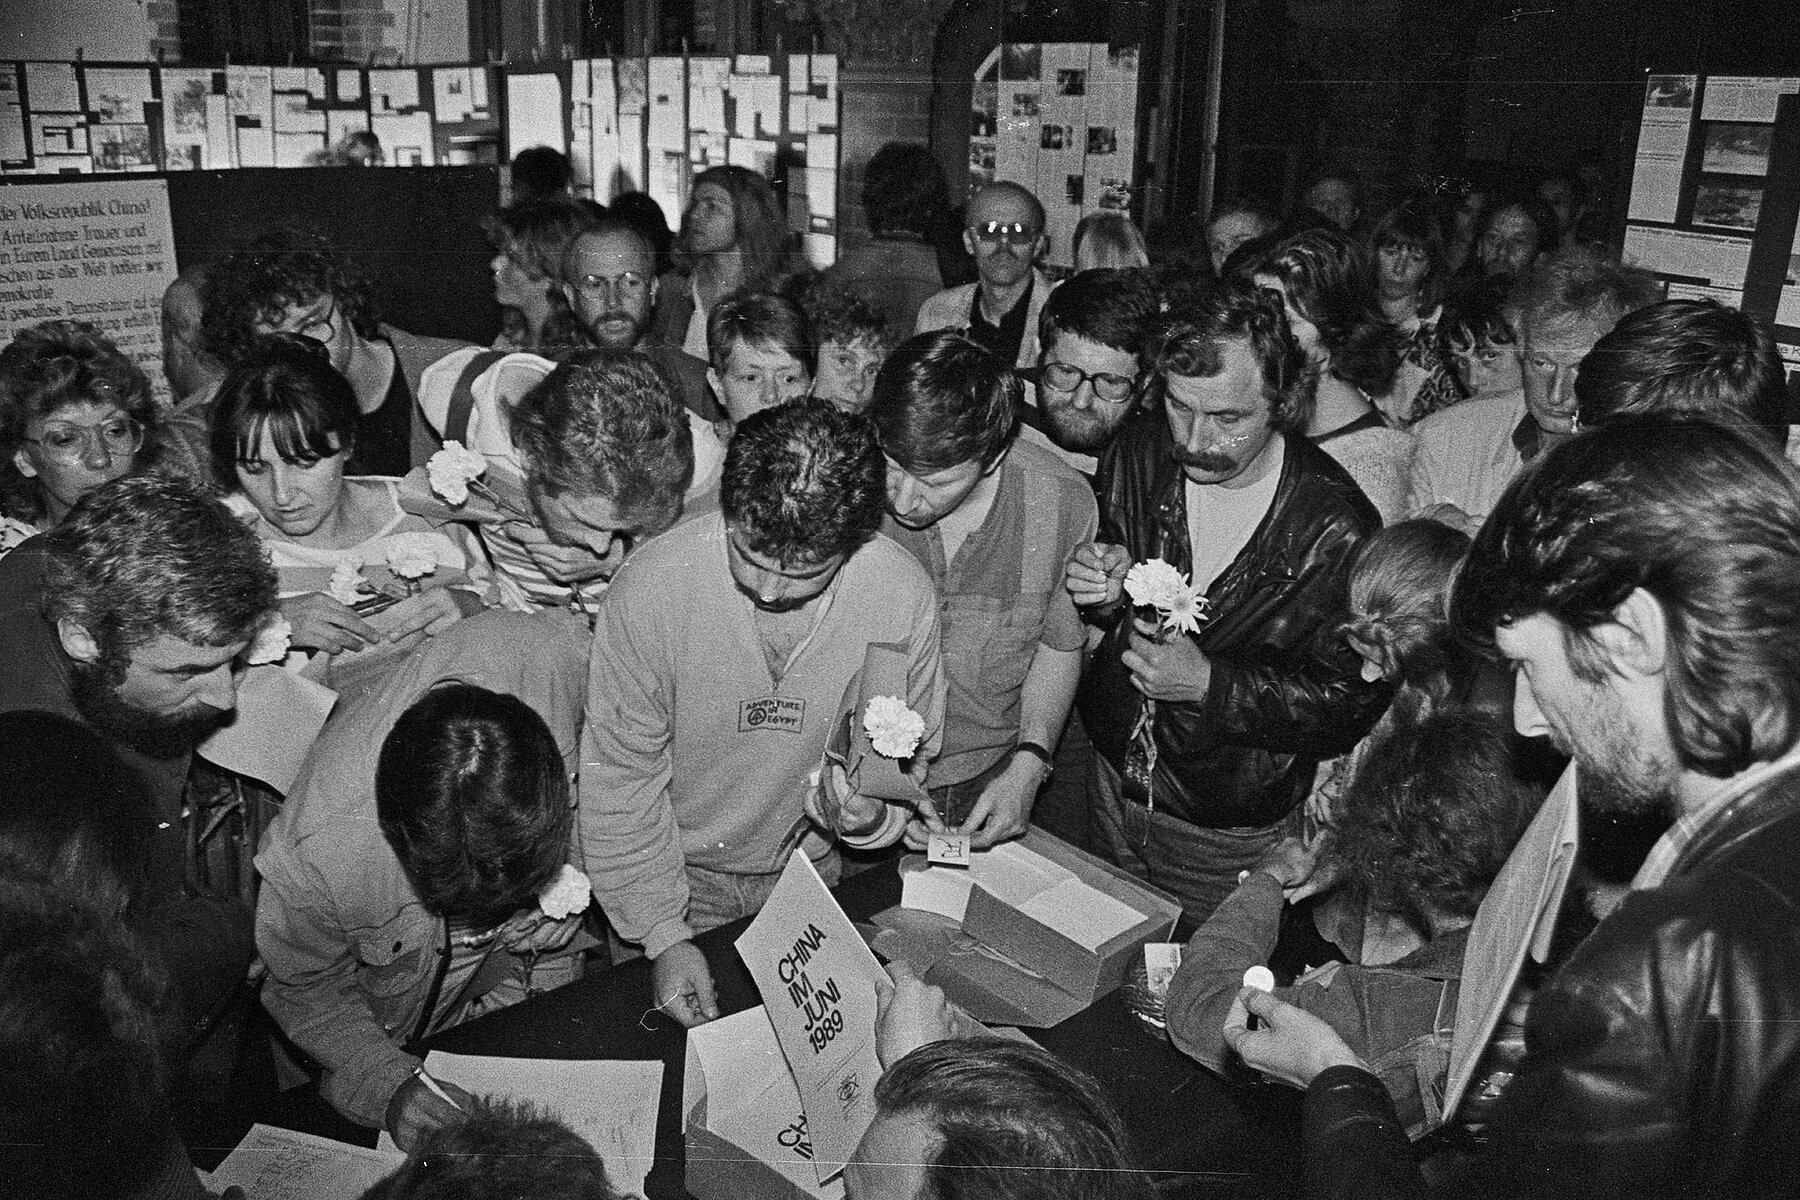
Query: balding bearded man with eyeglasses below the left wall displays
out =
(611, 283)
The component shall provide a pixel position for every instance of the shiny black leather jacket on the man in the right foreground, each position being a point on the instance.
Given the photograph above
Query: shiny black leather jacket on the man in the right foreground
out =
(1662, 1061)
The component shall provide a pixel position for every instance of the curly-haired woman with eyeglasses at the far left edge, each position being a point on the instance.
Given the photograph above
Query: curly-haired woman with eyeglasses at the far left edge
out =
(75, 415)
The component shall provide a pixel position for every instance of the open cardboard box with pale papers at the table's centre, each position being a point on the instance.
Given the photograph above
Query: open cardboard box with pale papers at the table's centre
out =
(1007, 967)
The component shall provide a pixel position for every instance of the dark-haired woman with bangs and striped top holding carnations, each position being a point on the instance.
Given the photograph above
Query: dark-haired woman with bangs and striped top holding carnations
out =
(357, 573)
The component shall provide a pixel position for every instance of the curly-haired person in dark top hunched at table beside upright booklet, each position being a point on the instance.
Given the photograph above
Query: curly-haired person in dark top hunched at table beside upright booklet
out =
(1430, 821)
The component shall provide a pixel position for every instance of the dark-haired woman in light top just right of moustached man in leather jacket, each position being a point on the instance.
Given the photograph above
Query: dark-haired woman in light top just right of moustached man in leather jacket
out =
(1324, 283)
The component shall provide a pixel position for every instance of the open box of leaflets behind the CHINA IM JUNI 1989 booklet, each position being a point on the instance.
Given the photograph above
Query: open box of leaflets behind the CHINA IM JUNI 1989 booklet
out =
(742, 1118)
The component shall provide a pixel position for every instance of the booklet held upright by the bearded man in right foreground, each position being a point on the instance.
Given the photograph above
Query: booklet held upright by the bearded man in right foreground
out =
(1518, 917)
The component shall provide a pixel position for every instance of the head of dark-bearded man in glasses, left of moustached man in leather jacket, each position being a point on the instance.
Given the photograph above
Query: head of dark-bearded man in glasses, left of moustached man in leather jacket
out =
(1090, 336)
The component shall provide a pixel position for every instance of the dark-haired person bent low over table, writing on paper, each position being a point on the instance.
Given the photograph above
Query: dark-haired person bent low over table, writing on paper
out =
(400, 881)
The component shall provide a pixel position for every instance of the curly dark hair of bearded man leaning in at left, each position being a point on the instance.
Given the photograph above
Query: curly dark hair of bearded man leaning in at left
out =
(148, 555)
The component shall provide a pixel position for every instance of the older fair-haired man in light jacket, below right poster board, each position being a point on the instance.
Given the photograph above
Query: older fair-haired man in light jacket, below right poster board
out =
(1470, 452)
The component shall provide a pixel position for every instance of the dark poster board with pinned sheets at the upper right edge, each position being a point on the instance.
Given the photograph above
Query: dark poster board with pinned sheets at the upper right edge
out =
(1714, 195)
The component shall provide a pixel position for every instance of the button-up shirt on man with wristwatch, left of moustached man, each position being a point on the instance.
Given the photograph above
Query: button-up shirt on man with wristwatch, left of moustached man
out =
(1002, 596)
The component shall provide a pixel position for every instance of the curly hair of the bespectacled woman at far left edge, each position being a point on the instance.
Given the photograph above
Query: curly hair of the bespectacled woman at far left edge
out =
(66, 363)
